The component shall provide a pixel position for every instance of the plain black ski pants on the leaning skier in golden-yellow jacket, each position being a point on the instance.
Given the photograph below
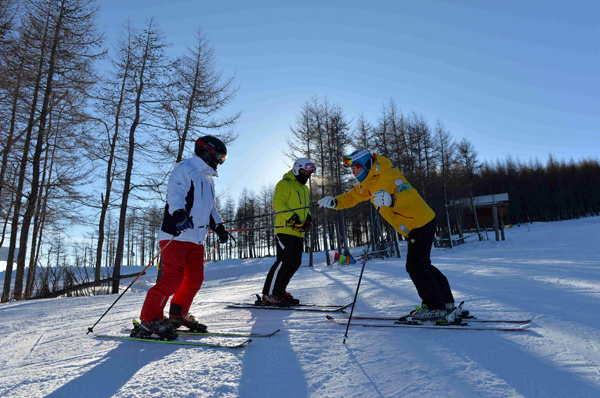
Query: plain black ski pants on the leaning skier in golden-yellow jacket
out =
(431, 284)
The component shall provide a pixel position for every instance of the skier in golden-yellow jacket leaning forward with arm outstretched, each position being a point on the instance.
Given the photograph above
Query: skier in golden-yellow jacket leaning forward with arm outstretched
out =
(402, 206)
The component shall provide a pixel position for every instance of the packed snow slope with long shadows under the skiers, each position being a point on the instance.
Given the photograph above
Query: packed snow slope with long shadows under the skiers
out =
(549, 272)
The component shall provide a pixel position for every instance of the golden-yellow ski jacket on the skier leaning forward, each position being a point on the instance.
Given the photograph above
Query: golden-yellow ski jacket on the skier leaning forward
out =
(409, 211)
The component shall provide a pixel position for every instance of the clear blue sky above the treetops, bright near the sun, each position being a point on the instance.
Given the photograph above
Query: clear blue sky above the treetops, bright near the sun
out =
(513, 77)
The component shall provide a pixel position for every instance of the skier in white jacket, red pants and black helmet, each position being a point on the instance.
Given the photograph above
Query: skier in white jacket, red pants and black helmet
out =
(190, 198)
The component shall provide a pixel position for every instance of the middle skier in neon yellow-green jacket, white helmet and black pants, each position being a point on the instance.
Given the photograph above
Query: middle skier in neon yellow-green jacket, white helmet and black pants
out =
(290, 227)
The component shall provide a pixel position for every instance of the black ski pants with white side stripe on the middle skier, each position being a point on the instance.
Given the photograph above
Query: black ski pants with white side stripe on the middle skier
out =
(289, 258)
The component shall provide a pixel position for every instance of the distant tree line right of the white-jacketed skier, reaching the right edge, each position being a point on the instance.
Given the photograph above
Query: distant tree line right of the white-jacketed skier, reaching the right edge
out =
(442, 169)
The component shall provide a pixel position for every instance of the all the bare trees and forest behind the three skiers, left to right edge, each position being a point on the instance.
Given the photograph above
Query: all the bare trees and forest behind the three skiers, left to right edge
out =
(90, 132)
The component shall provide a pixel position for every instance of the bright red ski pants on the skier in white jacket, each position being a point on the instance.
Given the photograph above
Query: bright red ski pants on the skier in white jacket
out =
(183, 274)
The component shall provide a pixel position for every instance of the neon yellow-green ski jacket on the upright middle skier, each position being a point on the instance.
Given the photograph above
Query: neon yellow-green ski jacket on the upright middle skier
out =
(290, 194)
